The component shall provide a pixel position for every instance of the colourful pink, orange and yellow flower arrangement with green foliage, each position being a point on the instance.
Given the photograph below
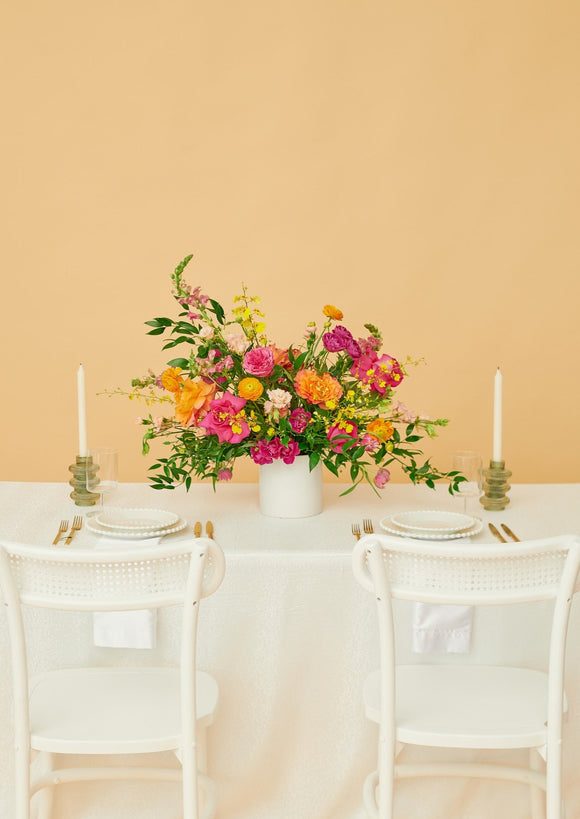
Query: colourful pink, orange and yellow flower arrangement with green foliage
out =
(234, 393)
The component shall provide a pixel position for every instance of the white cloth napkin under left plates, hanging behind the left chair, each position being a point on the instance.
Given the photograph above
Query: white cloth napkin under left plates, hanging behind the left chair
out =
(125, 629)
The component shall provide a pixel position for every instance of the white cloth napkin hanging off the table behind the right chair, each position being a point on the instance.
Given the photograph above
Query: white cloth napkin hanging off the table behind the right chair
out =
(441, 628)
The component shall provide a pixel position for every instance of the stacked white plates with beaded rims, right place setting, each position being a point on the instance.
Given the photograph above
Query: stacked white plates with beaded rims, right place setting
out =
(432, 525)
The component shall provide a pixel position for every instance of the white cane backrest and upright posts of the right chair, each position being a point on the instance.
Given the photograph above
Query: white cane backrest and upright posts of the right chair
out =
(450, 573)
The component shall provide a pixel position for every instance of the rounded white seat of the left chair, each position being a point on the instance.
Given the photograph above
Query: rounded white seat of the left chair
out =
(112, 710)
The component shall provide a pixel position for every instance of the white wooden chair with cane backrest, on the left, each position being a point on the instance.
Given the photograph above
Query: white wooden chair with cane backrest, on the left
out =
(111, 710)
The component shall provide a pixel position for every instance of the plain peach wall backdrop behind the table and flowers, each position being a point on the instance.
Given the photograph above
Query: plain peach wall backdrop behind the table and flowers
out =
(414, 163)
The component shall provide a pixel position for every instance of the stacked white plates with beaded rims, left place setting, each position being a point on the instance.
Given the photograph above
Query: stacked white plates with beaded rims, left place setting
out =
(135, 524)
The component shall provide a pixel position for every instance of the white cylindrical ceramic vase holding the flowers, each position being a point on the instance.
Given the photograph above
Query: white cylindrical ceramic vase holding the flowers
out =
(290, 490)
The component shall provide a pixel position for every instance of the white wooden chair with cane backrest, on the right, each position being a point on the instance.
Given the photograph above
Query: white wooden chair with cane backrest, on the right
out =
(466, 705)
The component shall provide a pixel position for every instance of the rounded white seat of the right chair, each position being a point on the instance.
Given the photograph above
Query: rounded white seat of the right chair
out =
(465, 706)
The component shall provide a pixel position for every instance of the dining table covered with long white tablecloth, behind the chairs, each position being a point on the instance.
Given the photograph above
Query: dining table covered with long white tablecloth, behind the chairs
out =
(290, 637)
